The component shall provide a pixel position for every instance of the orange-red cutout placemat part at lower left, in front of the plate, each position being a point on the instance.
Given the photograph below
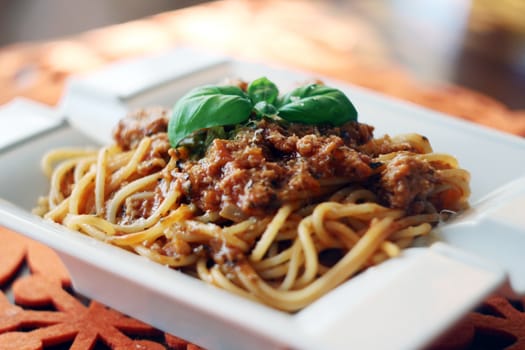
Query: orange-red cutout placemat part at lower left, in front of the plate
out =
(44, 315)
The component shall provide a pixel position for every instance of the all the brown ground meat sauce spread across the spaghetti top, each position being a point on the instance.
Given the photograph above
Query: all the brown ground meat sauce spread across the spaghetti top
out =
(267, 164)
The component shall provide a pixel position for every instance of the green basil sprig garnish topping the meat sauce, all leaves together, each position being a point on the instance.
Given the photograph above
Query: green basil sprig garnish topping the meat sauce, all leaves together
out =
(197, 117)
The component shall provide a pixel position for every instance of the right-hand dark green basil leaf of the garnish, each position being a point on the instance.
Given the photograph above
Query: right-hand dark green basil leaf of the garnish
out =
(317, 104)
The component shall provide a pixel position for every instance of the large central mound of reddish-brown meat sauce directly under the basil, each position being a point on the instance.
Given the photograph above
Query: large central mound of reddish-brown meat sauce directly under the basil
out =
(267, 165)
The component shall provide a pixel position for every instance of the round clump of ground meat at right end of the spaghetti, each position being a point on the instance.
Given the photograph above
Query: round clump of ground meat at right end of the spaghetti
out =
(406, 182)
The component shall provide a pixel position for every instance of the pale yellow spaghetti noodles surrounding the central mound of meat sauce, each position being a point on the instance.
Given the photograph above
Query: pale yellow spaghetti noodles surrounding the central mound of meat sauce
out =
(286, 257)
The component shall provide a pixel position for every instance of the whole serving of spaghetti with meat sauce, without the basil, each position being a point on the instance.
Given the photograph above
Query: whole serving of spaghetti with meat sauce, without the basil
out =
(281, 214)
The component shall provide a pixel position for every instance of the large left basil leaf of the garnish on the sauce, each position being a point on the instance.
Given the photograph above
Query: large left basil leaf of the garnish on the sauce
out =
(206, 107)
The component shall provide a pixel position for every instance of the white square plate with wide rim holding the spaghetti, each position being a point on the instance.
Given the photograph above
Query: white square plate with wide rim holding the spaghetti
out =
(402, 304)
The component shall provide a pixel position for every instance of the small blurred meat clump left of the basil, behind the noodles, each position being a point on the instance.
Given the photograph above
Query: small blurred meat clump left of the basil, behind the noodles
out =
(145, 122)
